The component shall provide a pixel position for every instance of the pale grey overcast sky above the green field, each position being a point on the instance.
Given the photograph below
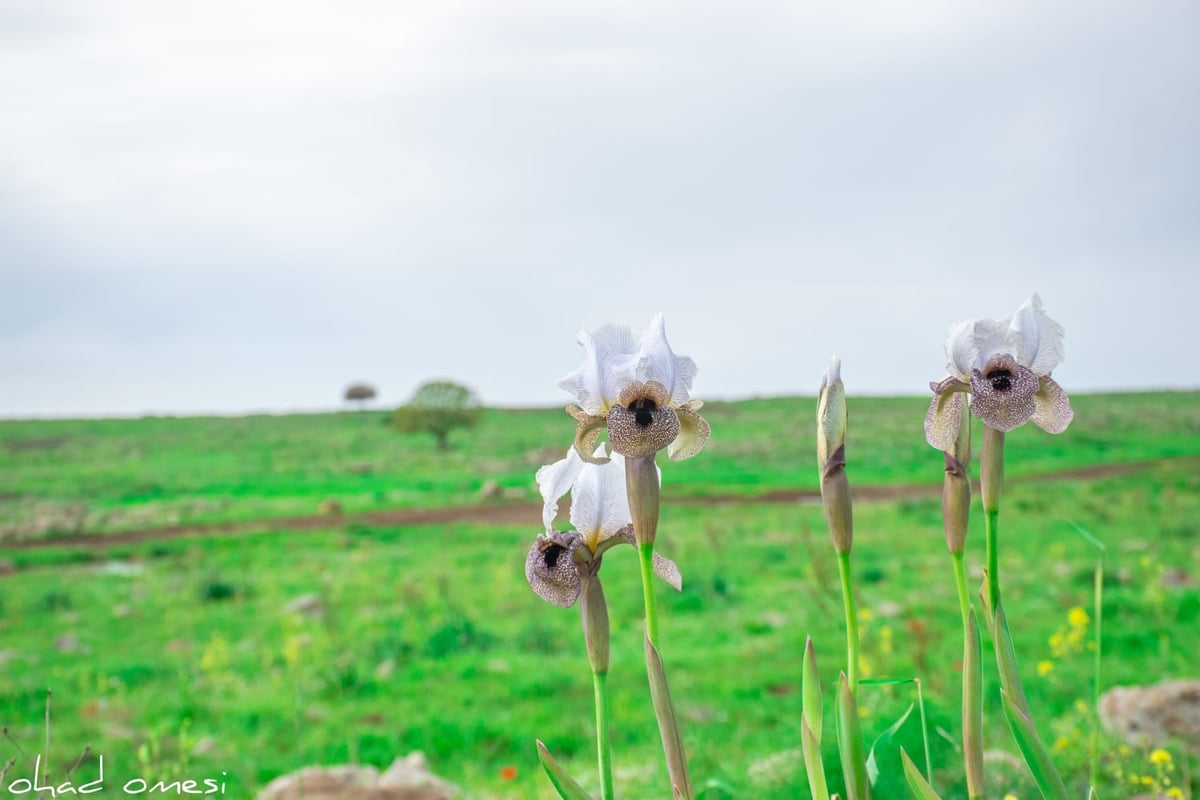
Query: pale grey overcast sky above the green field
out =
(245, 206)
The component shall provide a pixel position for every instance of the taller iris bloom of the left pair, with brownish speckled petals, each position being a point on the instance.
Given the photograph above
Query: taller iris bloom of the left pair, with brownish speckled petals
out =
(638, 389)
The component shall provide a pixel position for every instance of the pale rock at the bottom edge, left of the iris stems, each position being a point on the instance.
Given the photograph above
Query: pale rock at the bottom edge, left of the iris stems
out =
(407, 779)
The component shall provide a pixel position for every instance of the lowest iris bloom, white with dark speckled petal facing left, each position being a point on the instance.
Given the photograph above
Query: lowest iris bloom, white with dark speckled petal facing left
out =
(601, 518)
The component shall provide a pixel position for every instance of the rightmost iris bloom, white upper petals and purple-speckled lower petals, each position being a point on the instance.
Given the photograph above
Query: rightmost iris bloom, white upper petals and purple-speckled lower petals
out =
(1005, 365)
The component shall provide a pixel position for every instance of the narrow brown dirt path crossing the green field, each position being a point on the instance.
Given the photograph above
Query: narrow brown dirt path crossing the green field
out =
(523, 514)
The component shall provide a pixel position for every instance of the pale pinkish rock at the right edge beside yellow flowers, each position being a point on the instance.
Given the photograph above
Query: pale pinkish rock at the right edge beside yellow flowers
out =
(1155, 715)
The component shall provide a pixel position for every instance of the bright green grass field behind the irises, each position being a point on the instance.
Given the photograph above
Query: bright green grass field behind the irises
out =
(176, 657)
